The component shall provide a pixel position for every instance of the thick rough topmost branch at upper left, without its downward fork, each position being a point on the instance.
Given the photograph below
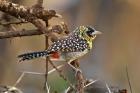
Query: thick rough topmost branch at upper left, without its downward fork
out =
(28, 14)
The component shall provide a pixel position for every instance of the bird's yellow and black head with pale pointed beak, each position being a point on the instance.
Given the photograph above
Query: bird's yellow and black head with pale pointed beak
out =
(88, 32)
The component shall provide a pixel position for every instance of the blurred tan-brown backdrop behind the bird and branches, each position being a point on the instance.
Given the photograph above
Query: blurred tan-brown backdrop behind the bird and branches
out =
(119, 20)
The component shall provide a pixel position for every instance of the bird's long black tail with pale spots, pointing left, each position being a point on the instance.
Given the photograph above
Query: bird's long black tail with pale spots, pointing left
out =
(32, 55)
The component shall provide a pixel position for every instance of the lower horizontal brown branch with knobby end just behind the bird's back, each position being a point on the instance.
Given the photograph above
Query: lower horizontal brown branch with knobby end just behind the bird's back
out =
(23, 32)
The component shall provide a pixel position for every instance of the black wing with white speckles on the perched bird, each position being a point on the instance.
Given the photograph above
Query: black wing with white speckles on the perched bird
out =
(70, 44)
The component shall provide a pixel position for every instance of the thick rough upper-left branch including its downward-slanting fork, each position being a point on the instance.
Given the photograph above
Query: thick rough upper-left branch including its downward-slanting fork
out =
(33, 15)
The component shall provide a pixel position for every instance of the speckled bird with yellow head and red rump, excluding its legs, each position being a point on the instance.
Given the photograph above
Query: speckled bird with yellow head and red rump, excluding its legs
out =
(78, 43)
